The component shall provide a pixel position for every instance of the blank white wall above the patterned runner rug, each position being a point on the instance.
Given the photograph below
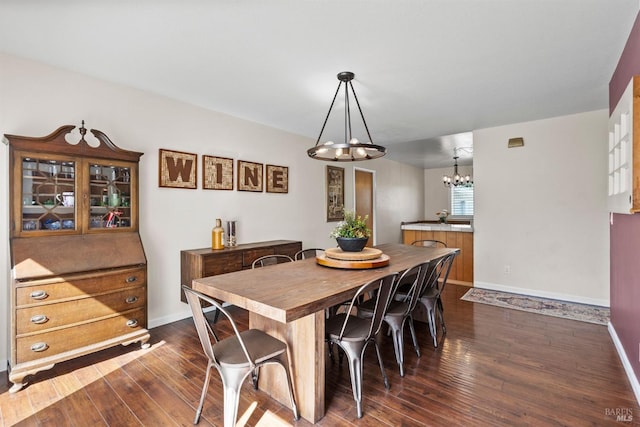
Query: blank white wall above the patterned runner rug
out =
(541, 209)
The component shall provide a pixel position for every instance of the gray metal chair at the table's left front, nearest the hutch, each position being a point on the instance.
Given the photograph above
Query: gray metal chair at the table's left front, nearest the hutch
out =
(235, 357)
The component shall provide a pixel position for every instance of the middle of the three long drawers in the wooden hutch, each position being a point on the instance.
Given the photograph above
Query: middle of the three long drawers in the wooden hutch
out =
(47, 316)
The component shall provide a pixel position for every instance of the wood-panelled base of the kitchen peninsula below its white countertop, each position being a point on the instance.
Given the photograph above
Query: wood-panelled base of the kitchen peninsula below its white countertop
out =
(462, 268)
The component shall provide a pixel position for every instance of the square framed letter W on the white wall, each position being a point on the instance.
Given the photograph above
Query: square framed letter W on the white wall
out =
(178, 169)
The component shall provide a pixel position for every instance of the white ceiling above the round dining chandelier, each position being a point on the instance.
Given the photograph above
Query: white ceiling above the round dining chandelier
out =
(426, 70)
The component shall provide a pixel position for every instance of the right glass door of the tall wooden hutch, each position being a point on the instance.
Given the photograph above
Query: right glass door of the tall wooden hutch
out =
(109, 196)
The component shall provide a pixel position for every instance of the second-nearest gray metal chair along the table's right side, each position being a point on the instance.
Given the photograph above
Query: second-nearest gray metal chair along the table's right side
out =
(400, 310)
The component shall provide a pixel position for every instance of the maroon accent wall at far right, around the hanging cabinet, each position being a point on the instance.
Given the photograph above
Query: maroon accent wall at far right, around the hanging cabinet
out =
(625, 230)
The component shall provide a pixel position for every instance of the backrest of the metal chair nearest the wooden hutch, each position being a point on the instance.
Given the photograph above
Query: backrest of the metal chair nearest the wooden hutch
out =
(203, 326)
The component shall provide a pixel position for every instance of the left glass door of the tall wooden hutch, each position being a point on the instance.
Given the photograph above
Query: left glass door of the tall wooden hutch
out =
(48, 194)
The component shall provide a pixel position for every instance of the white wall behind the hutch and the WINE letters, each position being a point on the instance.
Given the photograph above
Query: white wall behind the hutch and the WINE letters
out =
(36, 99)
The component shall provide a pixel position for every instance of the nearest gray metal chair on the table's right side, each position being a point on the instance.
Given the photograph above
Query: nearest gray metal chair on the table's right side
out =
(352, 334)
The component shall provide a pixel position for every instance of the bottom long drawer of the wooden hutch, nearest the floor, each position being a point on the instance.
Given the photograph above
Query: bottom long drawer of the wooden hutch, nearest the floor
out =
(48, 344)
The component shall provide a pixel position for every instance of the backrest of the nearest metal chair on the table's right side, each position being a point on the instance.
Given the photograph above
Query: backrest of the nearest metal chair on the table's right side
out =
(383, 288)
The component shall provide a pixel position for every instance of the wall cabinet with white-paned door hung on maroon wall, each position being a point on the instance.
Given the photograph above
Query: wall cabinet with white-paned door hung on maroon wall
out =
(624, 152)
